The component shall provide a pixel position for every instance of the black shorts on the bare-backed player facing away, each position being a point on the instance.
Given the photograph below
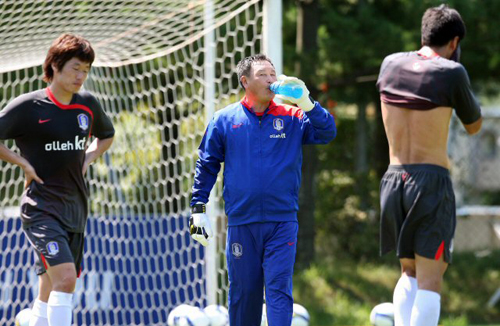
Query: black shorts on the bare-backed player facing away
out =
(418, 213)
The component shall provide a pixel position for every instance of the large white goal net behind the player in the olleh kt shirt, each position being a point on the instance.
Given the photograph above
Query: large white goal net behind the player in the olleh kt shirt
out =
(160, 64)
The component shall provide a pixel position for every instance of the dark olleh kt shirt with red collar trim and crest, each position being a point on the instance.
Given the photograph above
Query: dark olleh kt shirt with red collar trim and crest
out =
(53, 137)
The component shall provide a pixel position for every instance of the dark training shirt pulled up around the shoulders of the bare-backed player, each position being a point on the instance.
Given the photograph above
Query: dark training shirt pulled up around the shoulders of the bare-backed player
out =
(414, 81)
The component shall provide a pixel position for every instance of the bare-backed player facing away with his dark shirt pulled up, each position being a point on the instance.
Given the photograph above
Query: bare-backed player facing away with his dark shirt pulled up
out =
(419, 91)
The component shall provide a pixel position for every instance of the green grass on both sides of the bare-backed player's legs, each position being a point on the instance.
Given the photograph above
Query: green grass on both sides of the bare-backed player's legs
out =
(343, 292)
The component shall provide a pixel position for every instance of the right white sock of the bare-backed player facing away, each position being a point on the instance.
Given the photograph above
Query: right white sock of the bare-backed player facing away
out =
(426, 308)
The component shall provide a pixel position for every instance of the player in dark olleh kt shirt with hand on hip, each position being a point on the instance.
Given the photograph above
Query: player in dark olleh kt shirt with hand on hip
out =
(52, 128)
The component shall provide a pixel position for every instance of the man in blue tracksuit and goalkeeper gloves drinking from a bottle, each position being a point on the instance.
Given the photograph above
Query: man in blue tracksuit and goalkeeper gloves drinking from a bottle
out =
(260, 143)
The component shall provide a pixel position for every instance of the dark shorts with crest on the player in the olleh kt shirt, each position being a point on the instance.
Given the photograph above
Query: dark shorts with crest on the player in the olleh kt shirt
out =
(55, 246)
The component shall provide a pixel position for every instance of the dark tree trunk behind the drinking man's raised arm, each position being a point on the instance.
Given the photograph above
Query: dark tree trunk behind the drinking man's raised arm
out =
(307, 49)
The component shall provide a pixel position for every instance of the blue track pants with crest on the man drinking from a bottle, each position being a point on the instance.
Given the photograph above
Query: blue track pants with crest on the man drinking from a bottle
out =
(258, 255)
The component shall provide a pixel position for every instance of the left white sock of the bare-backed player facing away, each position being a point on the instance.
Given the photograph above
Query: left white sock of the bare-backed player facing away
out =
(404, 296)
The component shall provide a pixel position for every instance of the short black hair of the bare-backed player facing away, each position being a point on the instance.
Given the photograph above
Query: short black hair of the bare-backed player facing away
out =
(441, 25)
